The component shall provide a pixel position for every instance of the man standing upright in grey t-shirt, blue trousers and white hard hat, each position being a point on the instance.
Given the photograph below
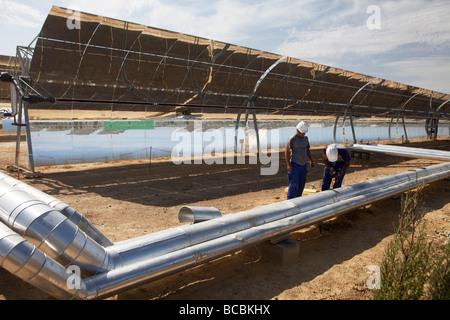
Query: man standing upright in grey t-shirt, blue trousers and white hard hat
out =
(297, 154)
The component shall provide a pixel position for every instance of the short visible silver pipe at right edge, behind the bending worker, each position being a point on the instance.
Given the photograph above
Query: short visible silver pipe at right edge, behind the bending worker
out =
(402, 151)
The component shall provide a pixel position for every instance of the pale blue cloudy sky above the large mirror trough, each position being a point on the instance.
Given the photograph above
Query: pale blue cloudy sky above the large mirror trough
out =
(406, 41)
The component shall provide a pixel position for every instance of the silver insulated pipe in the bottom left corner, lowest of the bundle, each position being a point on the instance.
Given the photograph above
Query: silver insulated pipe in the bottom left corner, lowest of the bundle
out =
(28, 263)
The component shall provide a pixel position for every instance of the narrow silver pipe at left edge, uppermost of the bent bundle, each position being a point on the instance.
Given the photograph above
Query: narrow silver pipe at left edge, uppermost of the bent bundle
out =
(72, 214)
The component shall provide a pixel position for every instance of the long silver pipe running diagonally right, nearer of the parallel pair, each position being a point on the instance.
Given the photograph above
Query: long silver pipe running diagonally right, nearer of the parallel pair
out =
(156, 267)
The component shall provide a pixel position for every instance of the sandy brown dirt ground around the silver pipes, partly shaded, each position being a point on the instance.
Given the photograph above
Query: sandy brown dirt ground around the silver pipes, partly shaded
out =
(131, 198)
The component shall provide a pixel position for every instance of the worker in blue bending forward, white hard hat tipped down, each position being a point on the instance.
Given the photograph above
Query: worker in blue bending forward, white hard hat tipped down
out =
(337, 160)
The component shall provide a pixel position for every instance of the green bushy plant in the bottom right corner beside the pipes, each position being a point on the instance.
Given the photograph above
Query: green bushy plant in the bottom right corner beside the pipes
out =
(410, 269)
